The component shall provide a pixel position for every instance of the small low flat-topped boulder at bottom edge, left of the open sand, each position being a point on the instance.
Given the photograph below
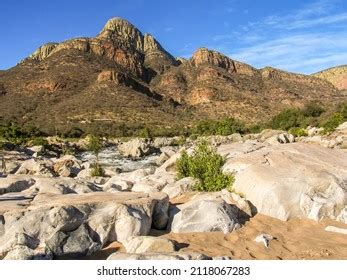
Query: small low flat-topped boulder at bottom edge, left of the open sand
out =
(148, 244)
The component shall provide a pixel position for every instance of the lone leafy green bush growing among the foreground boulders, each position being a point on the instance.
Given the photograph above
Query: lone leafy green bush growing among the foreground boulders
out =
(205, 165)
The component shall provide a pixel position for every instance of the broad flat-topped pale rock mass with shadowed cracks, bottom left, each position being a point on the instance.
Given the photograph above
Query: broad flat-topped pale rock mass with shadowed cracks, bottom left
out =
(75, 225)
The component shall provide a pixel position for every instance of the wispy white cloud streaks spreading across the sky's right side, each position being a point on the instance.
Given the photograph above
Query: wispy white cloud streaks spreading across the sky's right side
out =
(305, 40)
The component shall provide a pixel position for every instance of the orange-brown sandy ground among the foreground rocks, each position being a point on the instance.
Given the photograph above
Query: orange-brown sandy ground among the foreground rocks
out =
(295, 239)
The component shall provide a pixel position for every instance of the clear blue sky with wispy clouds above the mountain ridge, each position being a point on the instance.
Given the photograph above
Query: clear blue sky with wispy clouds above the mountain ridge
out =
(299, 36)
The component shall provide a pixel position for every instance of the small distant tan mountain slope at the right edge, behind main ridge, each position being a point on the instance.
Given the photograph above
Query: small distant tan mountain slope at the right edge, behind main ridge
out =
(336, 75)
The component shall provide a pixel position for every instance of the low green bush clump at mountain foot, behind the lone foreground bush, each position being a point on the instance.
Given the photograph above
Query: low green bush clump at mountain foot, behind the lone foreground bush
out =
(219, 127)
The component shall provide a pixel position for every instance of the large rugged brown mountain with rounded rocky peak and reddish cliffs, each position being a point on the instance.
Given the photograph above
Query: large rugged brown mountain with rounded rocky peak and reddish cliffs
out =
(124, 78)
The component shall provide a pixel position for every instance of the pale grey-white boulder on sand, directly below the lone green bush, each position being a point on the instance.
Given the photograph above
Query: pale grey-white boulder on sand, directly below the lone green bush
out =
(203, 215)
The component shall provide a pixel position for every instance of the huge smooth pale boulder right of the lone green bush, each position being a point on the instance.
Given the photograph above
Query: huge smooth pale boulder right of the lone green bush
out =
(293, 180)
